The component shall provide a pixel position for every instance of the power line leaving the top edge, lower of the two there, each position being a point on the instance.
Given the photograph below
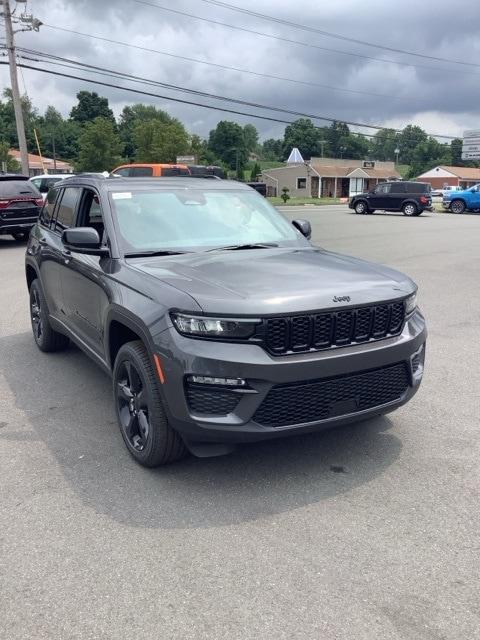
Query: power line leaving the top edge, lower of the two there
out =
(303, 44)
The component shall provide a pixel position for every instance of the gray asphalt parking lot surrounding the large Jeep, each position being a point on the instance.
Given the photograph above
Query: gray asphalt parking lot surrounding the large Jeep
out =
(370, 531)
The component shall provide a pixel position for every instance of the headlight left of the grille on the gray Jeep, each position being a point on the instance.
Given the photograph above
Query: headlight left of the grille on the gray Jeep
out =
(213, 327)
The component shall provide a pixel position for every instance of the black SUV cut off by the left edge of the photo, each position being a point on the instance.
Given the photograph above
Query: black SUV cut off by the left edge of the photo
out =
(20, 204)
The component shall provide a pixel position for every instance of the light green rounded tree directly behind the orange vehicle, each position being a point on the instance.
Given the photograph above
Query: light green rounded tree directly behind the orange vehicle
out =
(156, 141)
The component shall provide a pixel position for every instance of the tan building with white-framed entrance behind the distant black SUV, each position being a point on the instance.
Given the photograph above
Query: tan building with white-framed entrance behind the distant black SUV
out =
(328, 177)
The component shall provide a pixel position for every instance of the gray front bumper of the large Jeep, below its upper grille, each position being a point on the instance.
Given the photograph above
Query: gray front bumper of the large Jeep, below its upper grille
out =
(182, 357)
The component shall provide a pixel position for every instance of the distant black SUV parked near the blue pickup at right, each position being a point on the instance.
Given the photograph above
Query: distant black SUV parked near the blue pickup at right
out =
(412, 198)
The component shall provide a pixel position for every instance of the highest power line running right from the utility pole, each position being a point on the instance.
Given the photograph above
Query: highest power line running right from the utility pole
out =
(223, 66)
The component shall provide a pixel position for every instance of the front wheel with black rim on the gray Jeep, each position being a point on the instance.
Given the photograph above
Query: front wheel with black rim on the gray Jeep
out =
(140, 412)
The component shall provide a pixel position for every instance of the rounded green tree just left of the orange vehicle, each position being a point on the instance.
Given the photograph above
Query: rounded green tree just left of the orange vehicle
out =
(99, 146)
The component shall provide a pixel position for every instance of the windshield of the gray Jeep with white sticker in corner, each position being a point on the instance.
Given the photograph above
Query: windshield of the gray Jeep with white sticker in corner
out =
(197, 218)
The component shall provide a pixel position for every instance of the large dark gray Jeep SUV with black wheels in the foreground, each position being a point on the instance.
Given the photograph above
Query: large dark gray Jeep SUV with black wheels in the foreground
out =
(217, 319)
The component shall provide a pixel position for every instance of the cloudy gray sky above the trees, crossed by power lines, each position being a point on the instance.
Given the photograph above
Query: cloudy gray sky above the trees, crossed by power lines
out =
(442, 97)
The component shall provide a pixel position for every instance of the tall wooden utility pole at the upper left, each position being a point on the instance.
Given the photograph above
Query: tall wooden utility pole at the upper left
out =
(30, 23)
